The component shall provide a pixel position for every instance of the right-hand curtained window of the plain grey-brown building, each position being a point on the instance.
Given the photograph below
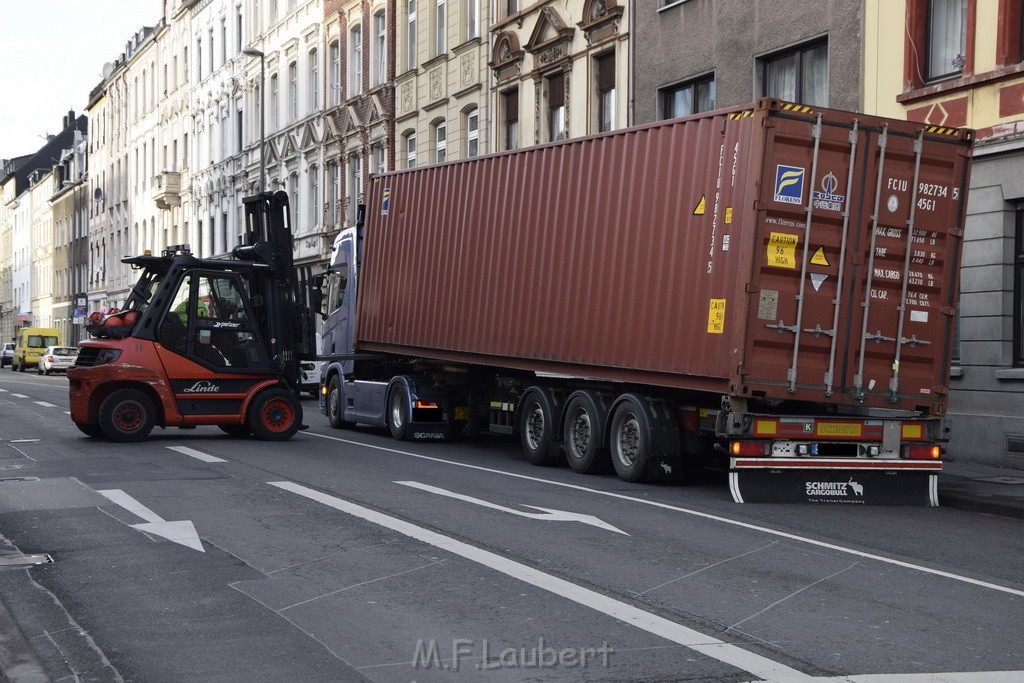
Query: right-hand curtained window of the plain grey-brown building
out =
(799, 75)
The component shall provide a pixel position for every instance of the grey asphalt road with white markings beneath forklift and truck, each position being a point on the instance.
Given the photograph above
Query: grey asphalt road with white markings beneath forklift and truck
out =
(345, 557)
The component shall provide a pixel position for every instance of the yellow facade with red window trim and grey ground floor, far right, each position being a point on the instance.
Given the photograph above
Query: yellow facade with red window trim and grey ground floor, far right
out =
(961, 63)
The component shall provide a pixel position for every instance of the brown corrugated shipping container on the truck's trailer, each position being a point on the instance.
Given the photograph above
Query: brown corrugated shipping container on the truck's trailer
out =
(731, 252)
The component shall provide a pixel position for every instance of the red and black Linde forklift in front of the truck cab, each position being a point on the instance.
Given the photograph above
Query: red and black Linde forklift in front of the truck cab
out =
(204, 341)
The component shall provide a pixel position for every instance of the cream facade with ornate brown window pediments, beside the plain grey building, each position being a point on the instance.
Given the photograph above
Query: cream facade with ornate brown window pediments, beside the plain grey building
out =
(560, 69)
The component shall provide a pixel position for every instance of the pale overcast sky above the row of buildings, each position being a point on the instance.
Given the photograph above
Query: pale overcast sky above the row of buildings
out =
(56, 52)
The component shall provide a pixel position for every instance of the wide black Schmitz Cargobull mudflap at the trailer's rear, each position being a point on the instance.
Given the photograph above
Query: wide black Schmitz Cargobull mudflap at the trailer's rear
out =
(850, 482)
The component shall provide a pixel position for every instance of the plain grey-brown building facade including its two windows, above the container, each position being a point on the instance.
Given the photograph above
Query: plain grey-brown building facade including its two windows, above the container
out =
(737, 52)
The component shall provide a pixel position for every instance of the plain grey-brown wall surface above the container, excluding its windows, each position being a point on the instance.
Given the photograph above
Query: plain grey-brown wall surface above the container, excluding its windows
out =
(696, 37)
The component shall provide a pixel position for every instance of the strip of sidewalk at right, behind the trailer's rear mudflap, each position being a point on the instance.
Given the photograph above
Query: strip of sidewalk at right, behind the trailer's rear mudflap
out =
(982, 489)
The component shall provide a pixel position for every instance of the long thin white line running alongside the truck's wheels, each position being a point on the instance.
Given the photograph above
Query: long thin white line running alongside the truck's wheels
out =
(696, 514)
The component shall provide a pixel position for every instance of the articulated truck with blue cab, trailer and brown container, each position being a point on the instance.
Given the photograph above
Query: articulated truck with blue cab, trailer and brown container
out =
(773, 287)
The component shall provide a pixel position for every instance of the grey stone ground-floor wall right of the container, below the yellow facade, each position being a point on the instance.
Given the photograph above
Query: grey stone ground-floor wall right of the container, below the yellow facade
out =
(987, 405)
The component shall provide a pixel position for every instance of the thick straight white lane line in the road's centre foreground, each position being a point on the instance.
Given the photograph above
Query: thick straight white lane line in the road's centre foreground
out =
(708, 646)
